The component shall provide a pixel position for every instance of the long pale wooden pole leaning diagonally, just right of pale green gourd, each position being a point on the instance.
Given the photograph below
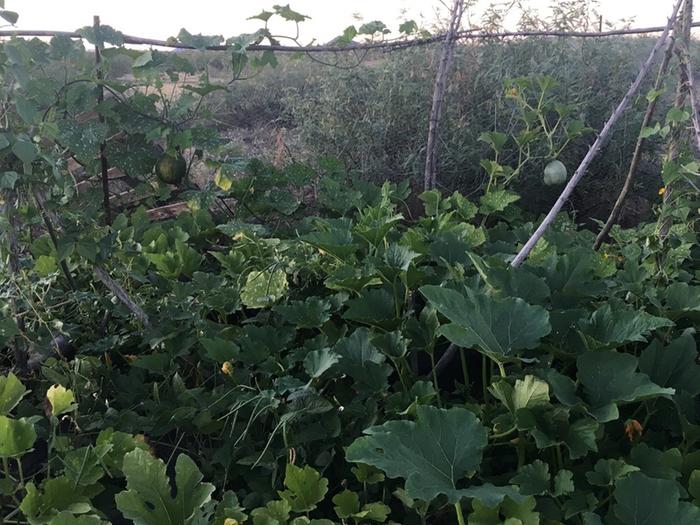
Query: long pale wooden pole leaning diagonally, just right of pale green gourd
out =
(597, 145)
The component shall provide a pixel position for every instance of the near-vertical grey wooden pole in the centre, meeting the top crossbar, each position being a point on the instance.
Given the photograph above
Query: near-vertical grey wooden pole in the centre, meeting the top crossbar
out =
(440, 86)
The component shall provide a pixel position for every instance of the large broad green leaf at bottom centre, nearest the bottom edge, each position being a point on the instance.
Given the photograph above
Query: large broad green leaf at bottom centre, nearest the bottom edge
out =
(432, 454)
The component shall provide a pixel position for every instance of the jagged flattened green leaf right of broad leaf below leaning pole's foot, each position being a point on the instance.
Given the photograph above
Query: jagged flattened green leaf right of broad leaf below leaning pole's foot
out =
(610, 326)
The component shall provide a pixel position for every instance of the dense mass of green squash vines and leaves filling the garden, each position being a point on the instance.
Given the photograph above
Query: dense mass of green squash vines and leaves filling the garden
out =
(309, 347)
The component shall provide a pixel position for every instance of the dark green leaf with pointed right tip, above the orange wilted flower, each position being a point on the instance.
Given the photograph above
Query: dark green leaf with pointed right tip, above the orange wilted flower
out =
(610, 378)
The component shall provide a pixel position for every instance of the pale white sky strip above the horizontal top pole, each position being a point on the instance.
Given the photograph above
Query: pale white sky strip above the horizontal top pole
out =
(164, 18)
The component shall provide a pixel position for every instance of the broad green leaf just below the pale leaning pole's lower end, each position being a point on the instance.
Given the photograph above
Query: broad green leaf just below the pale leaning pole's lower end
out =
(478, 320)
